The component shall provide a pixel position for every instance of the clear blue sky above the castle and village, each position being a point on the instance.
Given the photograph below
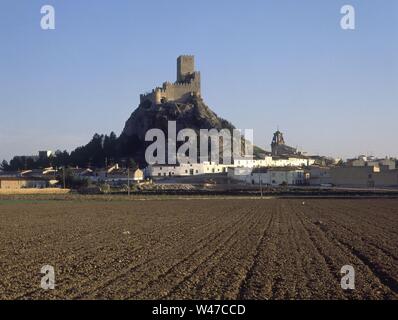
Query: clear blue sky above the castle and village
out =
(263, 64)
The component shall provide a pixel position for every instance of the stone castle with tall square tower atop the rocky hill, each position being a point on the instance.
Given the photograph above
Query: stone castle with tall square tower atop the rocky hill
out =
(187, 84)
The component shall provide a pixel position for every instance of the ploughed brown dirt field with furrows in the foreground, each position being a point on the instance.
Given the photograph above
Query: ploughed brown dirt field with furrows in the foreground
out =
(215, 248)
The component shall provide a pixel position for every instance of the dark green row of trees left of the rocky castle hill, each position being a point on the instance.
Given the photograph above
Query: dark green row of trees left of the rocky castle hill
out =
(101, 151)
